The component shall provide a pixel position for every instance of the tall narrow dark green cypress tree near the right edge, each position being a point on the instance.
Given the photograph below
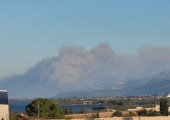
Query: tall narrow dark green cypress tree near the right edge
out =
(163, 107)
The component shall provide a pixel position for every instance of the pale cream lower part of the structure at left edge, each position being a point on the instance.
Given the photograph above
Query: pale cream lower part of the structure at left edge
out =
(4, 112)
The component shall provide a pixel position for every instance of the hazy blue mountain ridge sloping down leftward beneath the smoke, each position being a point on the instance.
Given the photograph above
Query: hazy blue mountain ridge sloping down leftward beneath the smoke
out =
(159, 83)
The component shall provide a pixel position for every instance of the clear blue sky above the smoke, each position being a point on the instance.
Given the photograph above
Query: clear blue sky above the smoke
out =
(33, 30)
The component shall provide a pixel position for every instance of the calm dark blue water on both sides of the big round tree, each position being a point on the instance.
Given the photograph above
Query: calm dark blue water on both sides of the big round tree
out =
(20, 106)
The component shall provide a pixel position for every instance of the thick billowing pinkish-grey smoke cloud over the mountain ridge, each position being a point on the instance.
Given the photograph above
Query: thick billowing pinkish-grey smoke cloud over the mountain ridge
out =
(77, 69)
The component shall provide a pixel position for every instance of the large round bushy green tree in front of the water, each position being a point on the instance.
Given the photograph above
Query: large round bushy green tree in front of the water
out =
(44, 109)
